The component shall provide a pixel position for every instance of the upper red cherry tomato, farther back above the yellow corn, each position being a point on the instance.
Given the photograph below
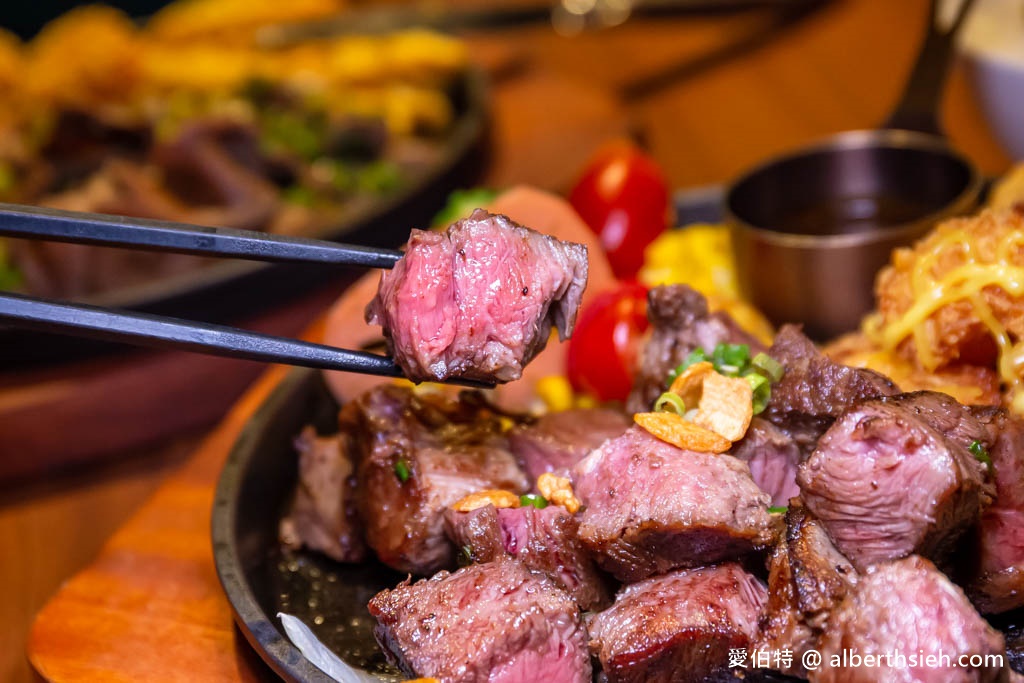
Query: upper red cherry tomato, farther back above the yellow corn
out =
(624, 198)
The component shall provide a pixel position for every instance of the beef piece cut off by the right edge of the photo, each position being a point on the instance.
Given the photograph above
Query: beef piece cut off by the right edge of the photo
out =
(999, 582)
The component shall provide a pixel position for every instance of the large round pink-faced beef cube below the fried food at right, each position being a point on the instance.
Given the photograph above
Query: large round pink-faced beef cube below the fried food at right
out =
(886, 483)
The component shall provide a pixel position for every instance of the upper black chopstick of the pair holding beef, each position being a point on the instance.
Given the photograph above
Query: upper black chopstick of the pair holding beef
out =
(101, 230)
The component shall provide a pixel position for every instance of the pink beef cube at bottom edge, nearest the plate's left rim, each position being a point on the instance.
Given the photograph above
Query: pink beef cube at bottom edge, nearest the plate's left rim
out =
(496, 622)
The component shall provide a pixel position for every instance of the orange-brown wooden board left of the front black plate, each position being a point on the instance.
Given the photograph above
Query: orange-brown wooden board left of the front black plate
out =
(151, 607)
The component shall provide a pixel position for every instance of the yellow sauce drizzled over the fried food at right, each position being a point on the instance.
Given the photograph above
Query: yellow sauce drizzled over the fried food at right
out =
(965, 283)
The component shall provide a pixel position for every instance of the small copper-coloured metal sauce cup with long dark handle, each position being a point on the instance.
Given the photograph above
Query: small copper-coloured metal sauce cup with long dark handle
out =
(812, 229)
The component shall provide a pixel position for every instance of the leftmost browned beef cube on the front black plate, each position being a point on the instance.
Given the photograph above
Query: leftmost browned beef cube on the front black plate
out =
(323, 515)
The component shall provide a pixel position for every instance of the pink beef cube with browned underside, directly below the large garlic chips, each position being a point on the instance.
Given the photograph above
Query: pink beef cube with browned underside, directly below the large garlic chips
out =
(651, 507)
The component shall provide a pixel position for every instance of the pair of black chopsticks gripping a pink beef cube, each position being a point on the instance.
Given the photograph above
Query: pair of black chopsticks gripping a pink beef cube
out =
(169, 333)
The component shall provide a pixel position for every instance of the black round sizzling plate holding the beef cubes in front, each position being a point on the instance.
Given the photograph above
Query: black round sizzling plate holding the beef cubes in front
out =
(259, 578)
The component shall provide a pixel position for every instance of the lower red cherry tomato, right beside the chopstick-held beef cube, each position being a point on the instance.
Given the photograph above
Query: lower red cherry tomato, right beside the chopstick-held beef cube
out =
(604, 351)
